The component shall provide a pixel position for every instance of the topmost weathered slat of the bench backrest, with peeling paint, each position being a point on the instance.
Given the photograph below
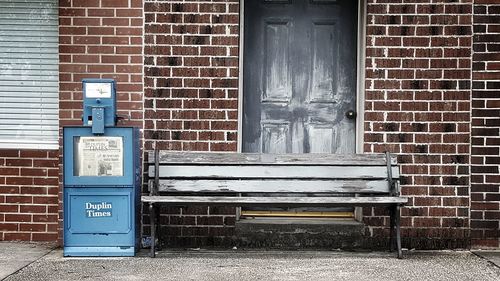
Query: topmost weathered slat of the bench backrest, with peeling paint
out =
(313, 159)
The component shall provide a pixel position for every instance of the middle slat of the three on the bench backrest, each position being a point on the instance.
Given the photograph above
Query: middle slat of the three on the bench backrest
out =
(285, 172)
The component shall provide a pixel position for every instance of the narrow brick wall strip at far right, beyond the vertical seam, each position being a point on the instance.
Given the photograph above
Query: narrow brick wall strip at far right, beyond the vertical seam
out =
(485, 191)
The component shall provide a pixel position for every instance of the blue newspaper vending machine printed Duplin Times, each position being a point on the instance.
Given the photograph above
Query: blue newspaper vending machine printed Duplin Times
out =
(101, 178)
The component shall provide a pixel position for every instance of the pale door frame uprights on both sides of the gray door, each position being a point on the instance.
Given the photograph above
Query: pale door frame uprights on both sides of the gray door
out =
(360, 77)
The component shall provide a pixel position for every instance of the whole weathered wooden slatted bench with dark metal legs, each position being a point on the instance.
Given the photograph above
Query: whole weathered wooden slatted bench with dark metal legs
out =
(361, 180)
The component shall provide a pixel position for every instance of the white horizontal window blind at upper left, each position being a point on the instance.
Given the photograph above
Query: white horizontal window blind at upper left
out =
(29, 81)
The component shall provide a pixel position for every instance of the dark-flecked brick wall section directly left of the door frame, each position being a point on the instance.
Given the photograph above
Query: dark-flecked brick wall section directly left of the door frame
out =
(191, 90)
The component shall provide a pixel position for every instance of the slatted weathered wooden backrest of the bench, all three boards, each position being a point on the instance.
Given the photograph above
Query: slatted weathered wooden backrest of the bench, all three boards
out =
(268, 173)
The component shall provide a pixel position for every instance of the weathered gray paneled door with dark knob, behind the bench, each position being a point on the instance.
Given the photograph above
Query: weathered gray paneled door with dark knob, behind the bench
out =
(299, 76)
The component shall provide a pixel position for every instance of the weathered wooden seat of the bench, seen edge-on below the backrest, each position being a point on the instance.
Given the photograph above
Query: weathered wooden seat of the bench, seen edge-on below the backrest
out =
(276, 201)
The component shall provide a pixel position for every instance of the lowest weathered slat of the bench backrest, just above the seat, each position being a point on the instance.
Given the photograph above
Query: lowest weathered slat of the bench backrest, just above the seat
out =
(283, 186)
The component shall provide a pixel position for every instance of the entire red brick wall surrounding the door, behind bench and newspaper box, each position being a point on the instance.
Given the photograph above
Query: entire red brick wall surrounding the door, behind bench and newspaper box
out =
(424, 84)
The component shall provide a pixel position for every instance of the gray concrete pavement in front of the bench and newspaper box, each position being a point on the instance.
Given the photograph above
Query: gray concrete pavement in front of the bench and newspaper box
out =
(35, 262)
